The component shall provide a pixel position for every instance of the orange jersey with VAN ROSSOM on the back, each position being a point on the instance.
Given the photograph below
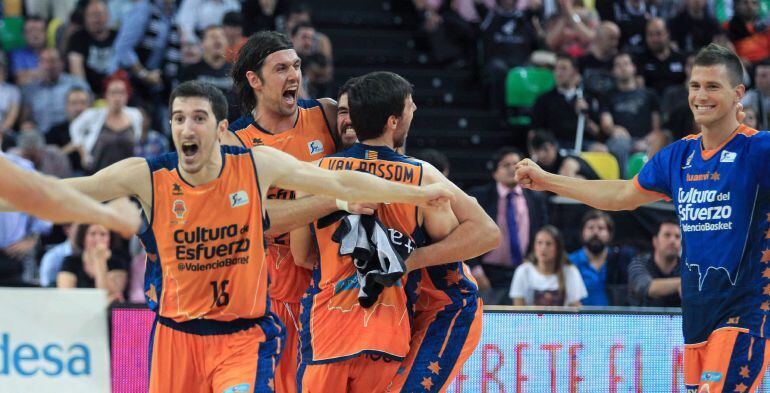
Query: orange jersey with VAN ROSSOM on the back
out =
(333, 324)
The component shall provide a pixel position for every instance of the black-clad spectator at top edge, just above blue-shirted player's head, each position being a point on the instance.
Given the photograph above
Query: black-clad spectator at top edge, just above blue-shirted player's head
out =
(693, 27)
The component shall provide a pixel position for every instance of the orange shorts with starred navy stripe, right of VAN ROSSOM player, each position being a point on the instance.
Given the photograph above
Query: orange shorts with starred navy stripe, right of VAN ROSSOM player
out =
(441, 343)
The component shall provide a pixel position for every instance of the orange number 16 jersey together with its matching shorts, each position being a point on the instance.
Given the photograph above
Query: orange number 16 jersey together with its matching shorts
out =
(207, 281)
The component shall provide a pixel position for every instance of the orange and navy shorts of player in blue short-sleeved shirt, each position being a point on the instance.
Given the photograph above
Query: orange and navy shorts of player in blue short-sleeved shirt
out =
(731, 360)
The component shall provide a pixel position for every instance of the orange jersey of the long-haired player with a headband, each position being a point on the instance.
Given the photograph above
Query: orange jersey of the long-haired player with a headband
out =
(309, 140)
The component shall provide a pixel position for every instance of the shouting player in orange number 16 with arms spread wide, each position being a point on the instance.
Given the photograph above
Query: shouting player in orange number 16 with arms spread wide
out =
(206, 276)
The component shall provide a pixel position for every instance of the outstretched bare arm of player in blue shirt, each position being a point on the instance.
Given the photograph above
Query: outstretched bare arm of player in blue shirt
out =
(600, 194)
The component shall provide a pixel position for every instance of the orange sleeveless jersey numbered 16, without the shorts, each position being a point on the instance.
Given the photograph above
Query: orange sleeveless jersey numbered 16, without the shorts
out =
(205, 244)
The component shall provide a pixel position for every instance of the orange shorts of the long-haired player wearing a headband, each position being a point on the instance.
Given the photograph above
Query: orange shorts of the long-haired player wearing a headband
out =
(286, 372)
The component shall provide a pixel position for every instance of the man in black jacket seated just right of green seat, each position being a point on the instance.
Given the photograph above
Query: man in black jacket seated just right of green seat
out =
(569, 100)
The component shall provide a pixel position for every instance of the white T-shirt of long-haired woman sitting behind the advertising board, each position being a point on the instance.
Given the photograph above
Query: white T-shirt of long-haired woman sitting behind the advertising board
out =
(543, 289)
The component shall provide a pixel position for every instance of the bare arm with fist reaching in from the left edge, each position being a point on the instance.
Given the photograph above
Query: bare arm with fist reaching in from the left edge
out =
(51, 200)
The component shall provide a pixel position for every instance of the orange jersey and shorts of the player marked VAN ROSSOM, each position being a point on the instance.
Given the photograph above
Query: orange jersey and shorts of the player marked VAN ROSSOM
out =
(345, 347)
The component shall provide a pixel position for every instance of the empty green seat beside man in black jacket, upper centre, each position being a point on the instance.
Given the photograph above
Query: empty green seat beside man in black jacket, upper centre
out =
(522, 87)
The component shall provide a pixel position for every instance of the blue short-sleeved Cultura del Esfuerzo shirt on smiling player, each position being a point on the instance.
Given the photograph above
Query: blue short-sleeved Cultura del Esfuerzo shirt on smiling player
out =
(722, 197)
